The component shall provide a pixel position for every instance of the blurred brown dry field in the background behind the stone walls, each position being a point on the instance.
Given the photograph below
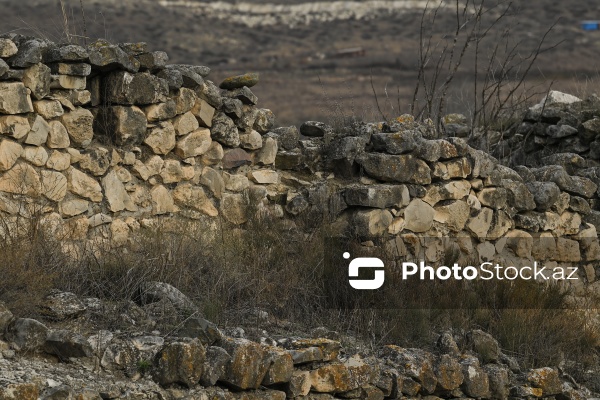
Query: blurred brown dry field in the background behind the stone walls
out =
(295, 82)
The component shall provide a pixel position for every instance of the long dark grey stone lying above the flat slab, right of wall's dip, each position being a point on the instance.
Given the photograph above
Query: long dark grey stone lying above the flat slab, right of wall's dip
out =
(395, 168)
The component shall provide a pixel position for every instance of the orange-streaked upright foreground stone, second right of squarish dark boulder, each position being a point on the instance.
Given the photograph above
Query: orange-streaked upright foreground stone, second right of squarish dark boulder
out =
(248, 366)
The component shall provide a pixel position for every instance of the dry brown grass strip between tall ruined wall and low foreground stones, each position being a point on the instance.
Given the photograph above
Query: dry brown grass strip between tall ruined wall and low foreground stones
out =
(235, 272)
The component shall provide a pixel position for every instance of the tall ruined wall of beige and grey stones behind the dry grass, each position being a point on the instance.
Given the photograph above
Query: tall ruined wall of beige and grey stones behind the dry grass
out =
(101, 141)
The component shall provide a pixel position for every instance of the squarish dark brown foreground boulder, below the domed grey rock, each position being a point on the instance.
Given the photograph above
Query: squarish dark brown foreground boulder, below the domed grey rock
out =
(180, 362)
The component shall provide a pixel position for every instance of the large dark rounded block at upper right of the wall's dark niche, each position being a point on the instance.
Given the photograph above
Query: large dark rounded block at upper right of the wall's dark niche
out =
(143, 88)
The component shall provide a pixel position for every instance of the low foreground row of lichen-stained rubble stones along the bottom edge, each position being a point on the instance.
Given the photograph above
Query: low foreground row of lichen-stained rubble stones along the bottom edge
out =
(40, 359)
